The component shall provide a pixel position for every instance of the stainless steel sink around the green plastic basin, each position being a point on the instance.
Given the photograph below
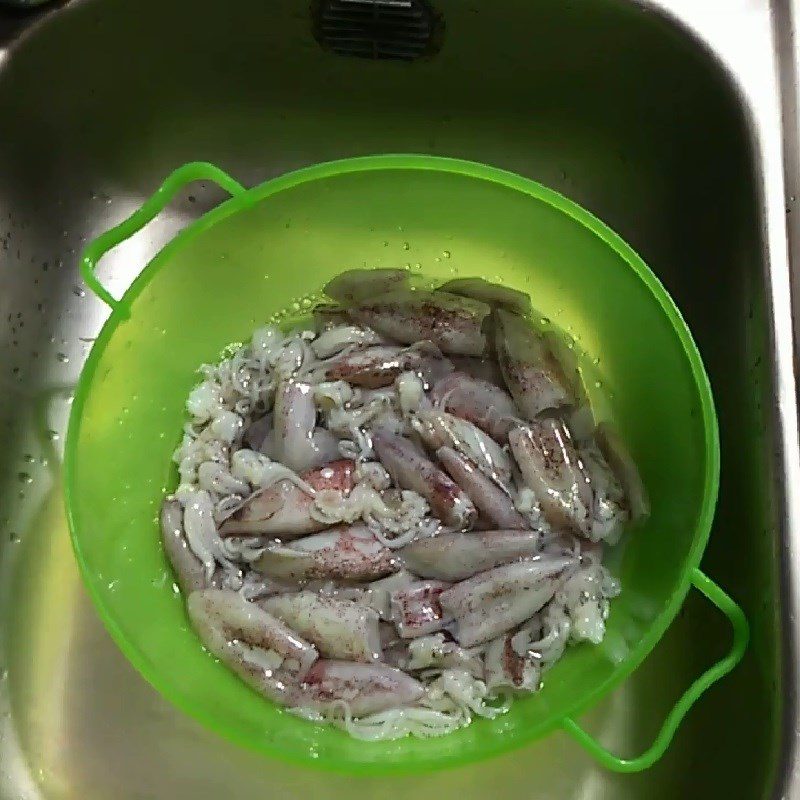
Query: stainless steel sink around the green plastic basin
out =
(664, 118)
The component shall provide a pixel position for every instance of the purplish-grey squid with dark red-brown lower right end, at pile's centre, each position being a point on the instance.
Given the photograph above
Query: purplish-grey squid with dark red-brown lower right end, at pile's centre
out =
(412, 470)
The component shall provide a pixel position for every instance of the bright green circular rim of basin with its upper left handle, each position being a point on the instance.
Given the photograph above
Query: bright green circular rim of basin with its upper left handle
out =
(243, 200)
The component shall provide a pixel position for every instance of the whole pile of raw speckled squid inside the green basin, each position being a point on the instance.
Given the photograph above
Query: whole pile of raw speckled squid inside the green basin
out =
(393, 521)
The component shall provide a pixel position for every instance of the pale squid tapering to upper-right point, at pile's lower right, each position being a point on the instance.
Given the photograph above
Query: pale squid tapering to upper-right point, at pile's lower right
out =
(495, 601)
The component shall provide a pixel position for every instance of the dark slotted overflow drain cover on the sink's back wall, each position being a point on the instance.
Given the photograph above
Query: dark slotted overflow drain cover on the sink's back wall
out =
(377, 29)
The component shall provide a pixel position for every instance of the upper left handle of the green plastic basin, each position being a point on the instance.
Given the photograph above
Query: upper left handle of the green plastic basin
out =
(97, 248)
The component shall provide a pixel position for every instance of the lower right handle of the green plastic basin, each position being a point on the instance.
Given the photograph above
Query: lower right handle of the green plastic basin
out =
(662, 741)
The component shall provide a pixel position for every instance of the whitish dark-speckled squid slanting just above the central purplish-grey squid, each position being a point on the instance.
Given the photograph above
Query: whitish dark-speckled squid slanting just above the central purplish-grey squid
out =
(438, 429)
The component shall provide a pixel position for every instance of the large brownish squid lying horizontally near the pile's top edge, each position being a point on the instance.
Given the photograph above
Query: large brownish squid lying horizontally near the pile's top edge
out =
(454, 324)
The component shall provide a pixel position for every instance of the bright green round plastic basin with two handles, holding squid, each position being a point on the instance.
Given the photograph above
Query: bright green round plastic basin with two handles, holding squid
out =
(264, 248)
